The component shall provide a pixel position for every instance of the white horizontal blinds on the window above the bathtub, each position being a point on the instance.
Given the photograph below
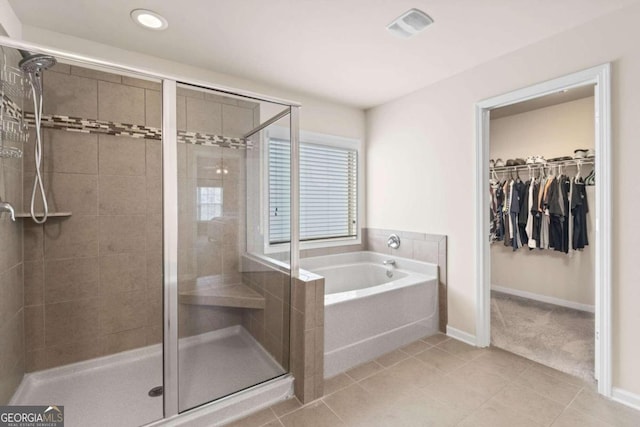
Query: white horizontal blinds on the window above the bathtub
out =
(328, 192)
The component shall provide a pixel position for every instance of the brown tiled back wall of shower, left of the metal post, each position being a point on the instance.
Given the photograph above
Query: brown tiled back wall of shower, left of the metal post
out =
(93, 281)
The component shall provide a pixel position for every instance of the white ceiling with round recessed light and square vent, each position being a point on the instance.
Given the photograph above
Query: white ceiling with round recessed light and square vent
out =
(335, 49)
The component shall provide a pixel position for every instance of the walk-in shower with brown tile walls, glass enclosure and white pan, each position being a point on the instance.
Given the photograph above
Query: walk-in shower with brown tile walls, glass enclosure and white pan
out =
(154, 296)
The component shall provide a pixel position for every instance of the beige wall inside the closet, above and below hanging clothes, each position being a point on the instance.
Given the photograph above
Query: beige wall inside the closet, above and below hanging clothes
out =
(552, 132)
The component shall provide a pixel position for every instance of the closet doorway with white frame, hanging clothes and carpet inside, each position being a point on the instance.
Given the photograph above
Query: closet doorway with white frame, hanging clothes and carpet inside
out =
(544, 272)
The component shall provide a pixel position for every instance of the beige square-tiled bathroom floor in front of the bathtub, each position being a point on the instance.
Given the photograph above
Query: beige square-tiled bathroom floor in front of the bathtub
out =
(443, 382)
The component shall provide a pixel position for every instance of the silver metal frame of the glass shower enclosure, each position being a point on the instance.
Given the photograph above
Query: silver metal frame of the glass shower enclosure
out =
(170, 197)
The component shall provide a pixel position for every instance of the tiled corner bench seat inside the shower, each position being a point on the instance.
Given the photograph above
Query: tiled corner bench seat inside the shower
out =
(227, 295)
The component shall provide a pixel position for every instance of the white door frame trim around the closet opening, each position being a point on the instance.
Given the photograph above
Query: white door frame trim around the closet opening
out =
(600, 77)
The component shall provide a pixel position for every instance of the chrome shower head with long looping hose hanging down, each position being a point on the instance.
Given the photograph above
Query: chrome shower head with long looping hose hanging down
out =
(33, 64)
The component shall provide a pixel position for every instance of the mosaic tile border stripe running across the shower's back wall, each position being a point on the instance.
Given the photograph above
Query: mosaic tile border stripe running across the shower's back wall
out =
(76, 124)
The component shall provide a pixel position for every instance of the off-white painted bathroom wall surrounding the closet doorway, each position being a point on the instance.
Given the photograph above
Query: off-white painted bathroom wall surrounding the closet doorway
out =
(420, 162)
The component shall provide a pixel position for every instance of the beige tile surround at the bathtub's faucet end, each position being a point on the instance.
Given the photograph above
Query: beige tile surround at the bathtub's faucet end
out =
(421, 247)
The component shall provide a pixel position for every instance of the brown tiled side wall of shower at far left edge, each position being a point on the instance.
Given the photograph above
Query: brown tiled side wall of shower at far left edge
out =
(11, 275)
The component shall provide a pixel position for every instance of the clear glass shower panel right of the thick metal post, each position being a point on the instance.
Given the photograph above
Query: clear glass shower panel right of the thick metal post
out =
(233, 301)
